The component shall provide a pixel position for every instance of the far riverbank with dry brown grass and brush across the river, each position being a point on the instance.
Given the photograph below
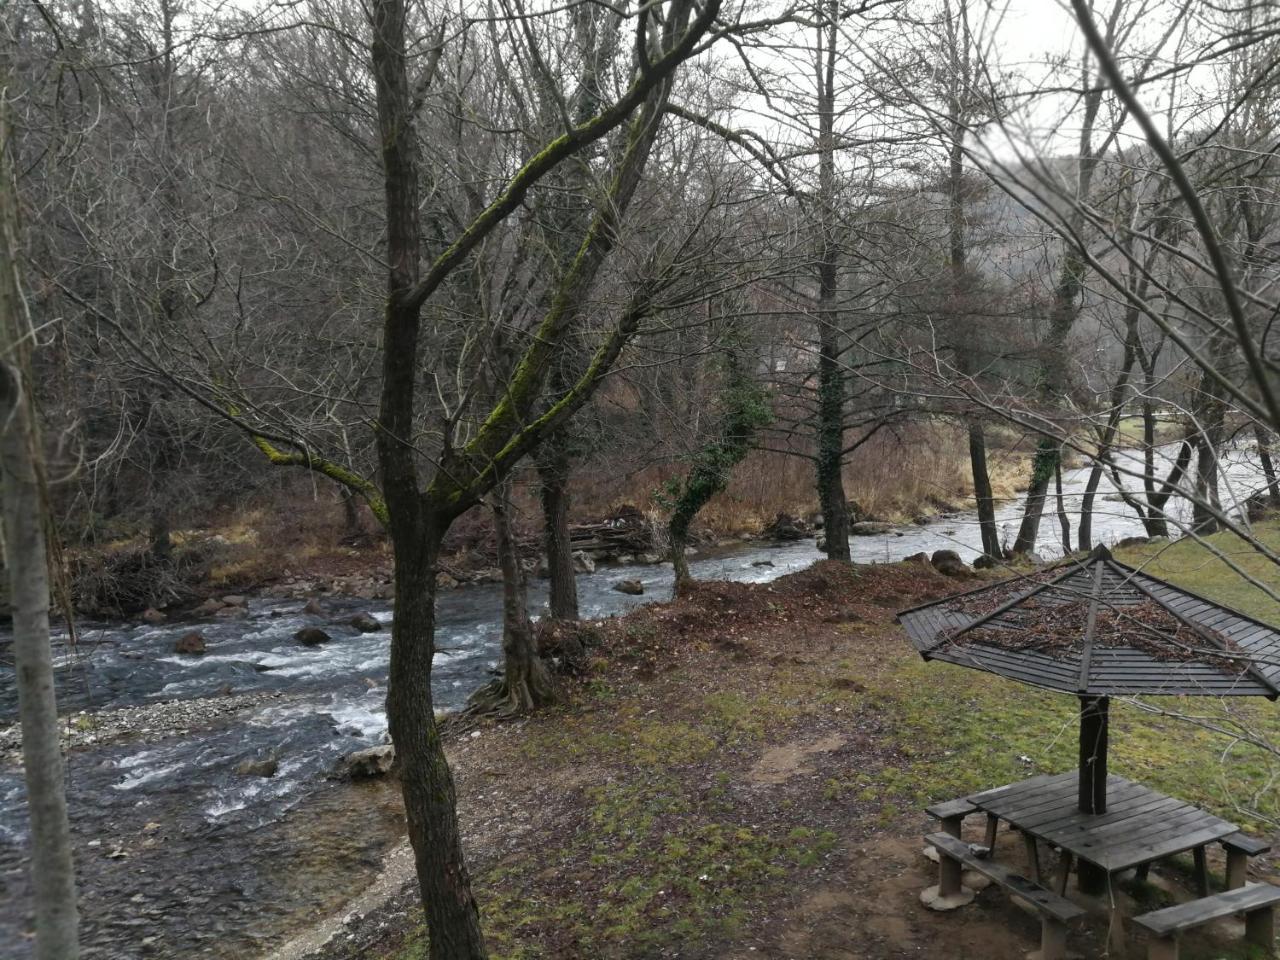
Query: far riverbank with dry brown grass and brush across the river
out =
(913, 476)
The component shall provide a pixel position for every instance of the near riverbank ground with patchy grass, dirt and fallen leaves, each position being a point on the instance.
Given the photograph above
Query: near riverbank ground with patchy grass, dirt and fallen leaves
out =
(778, 811)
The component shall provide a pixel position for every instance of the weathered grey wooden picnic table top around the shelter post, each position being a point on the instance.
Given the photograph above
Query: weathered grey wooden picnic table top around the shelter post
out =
(1140, 826)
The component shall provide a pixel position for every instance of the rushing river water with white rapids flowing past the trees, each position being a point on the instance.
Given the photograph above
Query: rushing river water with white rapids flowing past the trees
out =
(145, 815)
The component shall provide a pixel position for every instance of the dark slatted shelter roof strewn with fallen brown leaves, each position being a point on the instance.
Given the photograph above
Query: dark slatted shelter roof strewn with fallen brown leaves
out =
(1098, 628)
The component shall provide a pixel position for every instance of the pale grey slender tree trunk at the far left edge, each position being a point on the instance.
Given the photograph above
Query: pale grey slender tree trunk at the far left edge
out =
(25, 518)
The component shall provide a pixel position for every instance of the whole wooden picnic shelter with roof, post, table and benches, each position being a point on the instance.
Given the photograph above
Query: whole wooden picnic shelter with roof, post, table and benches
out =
(1095, 629)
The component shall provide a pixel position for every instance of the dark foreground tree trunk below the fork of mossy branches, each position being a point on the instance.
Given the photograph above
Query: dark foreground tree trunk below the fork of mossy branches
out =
(431, 803)
